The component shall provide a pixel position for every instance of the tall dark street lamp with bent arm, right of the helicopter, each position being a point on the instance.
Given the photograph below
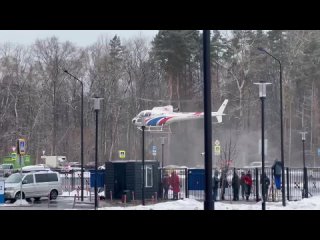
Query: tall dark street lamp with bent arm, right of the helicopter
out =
(281, 125)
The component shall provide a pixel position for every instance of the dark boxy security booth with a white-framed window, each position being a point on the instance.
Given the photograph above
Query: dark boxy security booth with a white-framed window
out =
(125, 177)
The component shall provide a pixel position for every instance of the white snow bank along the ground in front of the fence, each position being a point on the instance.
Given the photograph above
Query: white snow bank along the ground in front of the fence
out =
(191, 204)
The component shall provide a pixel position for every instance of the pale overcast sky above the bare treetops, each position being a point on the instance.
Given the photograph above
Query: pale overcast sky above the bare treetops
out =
(81, 38)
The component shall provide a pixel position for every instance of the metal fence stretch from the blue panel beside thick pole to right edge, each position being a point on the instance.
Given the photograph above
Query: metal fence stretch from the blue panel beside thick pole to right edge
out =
(293, 184)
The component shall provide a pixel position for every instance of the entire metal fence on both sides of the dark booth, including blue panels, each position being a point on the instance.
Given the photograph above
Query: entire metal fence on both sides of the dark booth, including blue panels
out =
(192, 183)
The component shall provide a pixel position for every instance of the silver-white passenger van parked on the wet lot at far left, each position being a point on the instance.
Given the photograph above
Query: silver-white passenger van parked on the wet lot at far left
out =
(34, 185)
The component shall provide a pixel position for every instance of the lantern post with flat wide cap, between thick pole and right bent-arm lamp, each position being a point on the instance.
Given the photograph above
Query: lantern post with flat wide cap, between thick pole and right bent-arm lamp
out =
(262, 95)
